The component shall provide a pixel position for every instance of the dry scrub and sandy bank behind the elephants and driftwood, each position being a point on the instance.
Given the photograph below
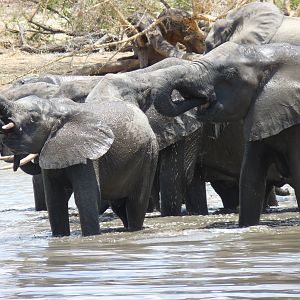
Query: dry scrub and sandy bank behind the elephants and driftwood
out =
(58, 36)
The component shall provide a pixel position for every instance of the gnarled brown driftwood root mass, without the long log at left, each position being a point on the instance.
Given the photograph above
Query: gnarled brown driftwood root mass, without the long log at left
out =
(161, 42)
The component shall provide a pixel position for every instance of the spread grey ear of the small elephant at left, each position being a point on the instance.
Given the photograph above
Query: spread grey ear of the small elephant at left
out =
(80, 137)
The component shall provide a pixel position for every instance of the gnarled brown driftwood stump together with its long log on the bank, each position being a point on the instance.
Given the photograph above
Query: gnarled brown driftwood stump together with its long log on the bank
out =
(159, 42)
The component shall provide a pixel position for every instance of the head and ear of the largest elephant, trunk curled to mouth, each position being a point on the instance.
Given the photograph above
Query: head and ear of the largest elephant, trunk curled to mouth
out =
(257, 83)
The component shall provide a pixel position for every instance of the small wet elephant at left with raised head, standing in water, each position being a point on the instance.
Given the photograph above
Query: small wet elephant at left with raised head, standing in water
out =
(75, 142)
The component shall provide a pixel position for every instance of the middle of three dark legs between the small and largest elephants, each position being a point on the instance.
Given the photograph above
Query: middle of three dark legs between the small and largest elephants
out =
(196, 202)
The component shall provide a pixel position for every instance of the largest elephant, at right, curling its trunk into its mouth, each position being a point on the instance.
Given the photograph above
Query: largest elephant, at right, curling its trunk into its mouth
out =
(261, 86)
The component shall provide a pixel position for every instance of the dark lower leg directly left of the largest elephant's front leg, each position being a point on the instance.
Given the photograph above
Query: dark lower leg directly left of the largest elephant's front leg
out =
(228, 192)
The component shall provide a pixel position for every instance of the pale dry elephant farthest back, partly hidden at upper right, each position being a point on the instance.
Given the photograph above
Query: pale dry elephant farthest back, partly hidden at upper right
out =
(254, 23)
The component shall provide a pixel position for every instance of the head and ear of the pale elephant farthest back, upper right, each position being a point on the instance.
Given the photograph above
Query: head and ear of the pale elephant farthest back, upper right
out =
(253, 23)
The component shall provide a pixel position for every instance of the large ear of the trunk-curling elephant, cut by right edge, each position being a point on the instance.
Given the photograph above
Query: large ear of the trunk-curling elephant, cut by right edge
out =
(276, 108)
